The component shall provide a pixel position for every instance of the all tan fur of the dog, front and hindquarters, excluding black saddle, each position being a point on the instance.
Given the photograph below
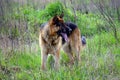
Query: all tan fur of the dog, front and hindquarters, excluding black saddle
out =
(51, 43)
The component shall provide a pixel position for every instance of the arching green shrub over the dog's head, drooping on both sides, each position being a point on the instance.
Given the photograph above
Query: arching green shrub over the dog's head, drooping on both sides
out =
(53, 9)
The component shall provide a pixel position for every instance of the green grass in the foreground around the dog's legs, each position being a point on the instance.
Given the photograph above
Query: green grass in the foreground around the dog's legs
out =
(99, 61)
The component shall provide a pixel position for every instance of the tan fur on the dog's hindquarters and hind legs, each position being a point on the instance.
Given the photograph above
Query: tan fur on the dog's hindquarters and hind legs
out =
(73, 47)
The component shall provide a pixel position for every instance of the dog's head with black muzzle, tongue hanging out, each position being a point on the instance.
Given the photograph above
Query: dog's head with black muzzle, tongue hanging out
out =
(58, 27)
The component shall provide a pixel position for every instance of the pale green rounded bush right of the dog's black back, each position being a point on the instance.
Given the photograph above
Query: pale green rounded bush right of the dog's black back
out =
(90, 24)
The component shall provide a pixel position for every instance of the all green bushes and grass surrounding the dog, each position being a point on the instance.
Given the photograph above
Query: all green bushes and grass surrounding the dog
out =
(100, 59)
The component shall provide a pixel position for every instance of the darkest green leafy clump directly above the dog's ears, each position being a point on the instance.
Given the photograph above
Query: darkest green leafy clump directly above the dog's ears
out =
(51, 10)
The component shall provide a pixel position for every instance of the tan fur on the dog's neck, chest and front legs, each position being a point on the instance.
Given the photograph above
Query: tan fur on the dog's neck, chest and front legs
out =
(50, 43)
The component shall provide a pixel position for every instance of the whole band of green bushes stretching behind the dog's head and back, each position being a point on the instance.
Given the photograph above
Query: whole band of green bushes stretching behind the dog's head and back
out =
(89, 24)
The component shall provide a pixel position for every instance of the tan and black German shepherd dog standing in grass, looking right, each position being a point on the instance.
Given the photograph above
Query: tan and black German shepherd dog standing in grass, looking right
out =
(56, 34)
